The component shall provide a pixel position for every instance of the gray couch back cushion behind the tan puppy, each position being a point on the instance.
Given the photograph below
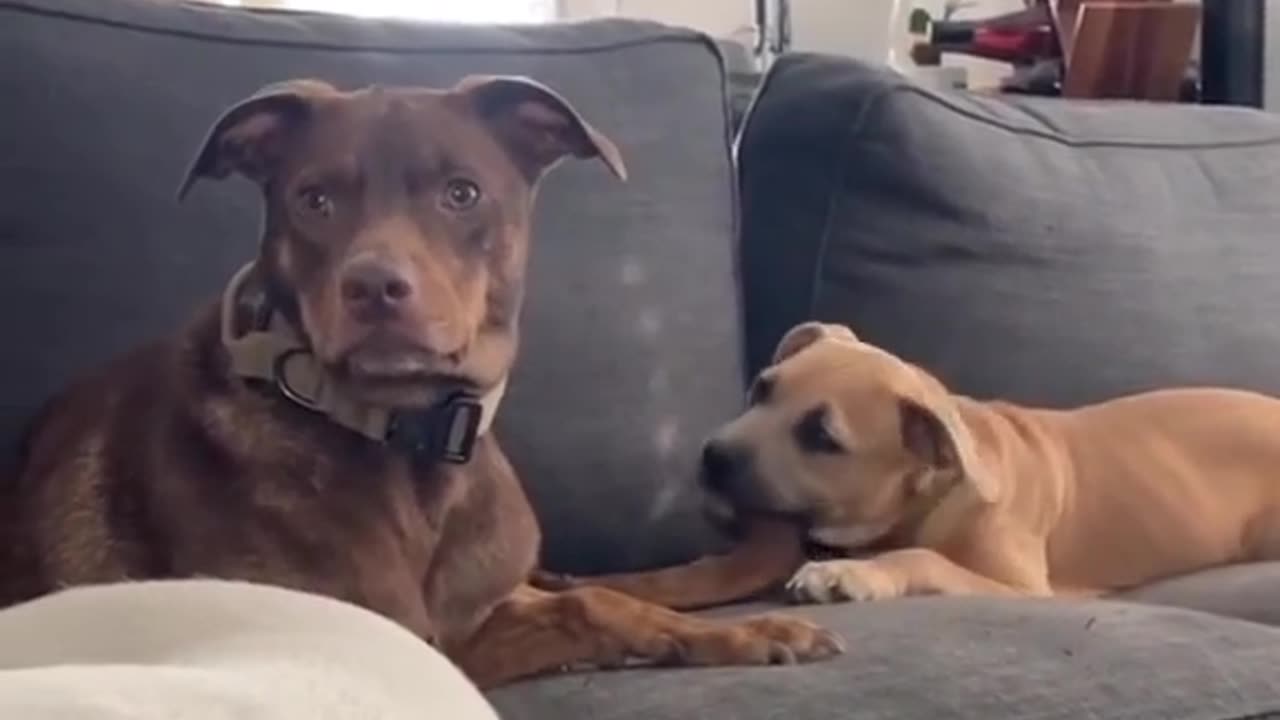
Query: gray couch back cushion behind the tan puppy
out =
(1043, 250)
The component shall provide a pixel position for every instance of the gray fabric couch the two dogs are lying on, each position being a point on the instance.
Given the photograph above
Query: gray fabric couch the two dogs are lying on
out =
(1044, 252)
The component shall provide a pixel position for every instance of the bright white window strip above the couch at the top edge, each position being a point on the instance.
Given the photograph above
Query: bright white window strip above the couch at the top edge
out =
(445, 11)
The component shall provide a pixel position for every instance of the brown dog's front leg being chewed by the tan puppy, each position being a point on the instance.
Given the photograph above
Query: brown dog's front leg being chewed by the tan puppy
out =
(770, 553)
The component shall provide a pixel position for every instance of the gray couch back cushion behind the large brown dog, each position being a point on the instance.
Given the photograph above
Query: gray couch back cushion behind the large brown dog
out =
(632, 347)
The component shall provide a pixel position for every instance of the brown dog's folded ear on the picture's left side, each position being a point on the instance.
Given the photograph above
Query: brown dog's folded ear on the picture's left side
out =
(249, 136)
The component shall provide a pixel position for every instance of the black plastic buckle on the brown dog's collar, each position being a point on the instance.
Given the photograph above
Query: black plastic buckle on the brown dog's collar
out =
(446, 432)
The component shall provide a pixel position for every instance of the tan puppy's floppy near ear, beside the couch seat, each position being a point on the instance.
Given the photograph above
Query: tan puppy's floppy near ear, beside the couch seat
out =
(934, 432)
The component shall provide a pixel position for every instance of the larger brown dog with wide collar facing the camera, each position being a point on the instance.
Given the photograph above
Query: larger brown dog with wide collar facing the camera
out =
(324, 426)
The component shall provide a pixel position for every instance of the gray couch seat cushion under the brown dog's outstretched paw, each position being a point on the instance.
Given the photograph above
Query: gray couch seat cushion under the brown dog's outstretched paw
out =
(961, 659)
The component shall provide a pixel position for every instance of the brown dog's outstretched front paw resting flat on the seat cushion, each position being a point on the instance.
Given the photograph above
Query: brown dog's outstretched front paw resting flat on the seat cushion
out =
(766, 640)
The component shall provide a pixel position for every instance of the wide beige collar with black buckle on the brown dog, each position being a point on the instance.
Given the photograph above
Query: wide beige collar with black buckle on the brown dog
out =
(273, 353)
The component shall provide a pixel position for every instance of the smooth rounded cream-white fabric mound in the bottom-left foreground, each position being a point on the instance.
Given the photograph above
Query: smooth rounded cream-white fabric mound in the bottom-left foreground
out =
(214, 650)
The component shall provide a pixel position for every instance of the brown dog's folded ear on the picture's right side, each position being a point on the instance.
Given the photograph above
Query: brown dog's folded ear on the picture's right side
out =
(536, 125)
